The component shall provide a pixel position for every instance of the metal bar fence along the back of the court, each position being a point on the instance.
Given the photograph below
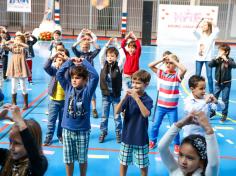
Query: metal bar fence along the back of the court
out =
(78, 14)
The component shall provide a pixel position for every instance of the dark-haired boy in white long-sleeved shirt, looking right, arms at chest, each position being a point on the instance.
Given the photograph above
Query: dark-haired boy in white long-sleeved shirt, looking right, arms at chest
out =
(199, 101)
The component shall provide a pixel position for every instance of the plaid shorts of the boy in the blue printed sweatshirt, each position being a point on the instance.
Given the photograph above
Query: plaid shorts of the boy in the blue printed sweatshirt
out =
(75, 146)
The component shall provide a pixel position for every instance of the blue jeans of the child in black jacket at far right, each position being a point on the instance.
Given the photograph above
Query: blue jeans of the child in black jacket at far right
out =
(225, 88)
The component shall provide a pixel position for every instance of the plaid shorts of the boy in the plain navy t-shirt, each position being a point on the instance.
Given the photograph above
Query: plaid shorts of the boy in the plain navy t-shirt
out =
(130, 154)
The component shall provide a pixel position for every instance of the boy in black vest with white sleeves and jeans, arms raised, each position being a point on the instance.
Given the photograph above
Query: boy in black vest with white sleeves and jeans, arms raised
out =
(111, 85)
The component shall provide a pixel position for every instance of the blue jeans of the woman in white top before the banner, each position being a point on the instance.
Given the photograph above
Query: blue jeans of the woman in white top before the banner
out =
(199, 65)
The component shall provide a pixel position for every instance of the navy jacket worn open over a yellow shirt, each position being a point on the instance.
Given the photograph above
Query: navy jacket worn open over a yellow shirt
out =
(52, 71)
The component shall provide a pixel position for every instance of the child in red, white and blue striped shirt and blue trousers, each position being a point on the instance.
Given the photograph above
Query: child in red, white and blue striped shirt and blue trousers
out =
(169, 81)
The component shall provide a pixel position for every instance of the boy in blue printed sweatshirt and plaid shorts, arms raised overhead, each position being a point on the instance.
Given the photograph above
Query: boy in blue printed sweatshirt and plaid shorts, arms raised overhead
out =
(76, 117)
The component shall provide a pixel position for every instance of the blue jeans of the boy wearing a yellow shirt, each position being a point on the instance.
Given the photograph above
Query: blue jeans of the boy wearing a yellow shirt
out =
(55, 110)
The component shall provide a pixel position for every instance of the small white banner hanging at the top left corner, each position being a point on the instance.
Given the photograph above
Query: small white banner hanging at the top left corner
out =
(19, 5)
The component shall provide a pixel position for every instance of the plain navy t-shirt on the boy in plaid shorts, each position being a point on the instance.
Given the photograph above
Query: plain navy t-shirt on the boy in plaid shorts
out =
(135, 126)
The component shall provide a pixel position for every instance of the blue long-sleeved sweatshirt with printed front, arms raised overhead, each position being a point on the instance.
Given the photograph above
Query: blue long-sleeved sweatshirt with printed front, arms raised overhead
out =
(76, 115)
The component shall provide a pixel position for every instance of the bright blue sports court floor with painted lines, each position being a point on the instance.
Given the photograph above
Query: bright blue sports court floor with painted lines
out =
(103, 158)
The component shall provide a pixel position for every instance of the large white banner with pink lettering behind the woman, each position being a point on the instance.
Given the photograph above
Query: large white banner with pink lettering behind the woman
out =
(176, 23)
